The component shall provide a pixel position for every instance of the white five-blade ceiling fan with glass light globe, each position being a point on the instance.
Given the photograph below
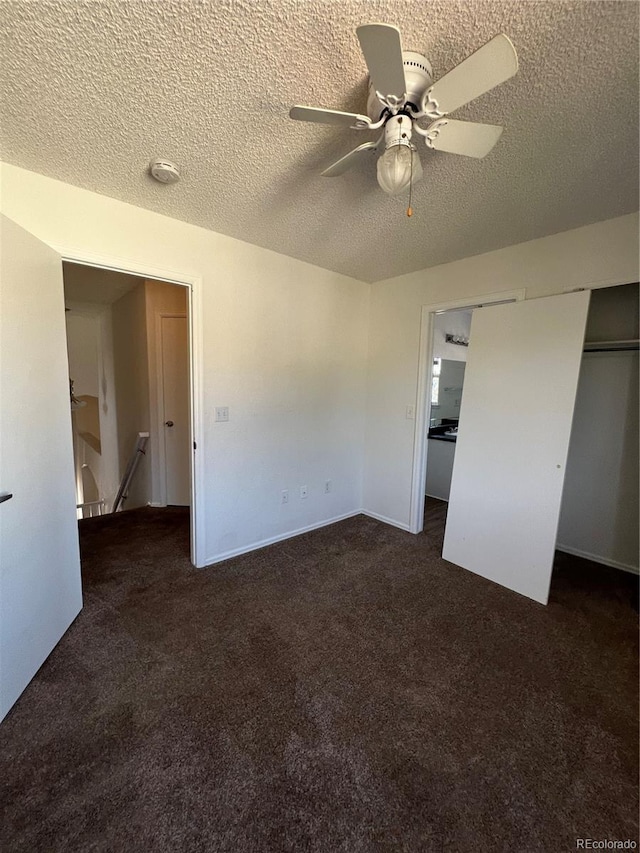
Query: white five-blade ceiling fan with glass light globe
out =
(402, 95)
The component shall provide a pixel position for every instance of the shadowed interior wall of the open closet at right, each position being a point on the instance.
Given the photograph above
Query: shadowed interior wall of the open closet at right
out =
(600, 502)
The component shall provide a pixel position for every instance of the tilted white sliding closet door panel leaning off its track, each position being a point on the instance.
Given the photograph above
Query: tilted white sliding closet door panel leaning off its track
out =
(515, 422)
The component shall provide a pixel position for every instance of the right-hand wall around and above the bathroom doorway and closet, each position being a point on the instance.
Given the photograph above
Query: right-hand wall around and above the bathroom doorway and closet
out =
(603, 252)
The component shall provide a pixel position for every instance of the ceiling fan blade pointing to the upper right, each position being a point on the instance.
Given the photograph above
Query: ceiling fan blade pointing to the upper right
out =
(490, 65)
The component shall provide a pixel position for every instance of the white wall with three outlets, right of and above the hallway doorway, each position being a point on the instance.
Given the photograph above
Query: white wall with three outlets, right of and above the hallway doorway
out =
(284, 347)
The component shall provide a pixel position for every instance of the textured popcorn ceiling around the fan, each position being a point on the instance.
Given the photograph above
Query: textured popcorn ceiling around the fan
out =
(91, 91)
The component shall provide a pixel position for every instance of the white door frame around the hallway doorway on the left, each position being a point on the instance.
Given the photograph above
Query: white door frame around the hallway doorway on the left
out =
(193, 284)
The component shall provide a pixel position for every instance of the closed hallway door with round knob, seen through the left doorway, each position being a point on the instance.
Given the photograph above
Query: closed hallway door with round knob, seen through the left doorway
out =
(175, 400)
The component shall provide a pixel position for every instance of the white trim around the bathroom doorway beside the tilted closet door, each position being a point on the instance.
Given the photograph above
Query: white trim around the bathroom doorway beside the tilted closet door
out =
(419, 470)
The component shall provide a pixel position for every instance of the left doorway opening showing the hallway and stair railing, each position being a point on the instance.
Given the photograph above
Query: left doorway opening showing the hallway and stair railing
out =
(129, 347)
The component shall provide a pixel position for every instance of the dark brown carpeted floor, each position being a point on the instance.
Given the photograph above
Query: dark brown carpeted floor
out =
(346, 690)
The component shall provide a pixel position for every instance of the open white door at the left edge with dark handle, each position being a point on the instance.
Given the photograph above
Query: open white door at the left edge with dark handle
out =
(40, 586)
